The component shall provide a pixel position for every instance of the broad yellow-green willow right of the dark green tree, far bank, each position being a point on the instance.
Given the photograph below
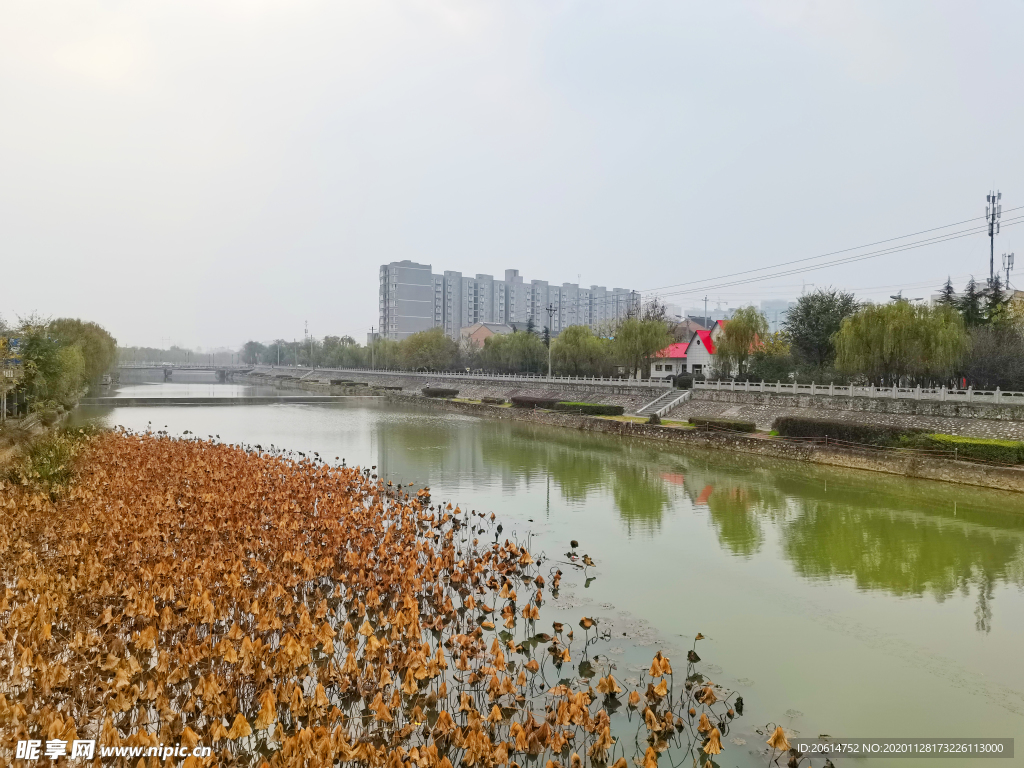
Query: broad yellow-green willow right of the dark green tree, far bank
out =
(889, 343)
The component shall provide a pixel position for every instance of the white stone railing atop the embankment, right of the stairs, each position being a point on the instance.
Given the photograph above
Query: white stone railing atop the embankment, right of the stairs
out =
(943, 395)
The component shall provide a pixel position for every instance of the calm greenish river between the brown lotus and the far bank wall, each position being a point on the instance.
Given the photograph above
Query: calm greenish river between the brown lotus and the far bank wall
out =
(840, 603)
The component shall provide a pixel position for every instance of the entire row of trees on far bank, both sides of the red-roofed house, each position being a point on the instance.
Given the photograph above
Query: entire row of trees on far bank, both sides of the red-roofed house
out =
(974, 337)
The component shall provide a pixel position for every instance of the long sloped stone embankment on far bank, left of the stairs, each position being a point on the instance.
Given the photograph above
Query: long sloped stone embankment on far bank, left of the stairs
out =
(631, 398)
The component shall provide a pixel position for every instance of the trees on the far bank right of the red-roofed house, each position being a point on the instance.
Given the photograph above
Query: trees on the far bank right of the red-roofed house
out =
(973, 338)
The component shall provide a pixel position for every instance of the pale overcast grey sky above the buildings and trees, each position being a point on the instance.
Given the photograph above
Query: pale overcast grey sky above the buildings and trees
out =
(205, 174)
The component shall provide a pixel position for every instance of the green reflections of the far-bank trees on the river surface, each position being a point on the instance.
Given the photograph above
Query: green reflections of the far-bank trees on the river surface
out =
(903, 538)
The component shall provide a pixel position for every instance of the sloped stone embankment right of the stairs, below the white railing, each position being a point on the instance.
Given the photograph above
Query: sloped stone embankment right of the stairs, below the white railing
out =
(974, 420)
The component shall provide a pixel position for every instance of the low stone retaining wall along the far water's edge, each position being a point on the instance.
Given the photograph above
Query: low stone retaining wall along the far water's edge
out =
(1005, 479)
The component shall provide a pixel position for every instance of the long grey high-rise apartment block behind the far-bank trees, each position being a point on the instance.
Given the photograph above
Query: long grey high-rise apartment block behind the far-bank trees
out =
(413, 300)
